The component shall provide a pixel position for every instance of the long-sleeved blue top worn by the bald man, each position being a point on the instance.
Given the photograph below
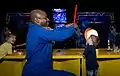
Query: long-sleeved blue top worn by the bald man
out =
(39, 48)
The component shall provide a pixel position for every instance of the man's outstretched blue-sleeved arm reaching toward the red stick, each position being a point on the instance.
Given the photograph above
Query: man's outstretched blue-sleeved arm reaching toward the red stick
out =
(56, 35)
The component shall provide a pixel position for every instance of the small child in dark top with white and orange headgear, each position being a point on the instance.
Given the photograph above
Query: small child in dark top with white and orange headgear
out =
(92, 41)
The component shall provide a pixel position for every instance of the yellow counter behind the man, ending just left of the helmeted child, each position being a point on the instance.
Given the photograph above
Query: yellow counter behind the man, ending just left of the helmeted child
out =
(68, 61)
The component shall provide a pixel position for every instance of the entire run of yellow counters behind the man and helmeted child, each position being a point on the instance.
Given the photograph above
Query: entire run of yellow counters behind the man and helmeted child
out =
(69, 60)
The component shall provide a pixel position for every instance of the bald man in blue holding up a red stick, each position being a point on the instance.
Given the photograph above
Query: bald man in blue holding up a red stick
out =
(39, 45)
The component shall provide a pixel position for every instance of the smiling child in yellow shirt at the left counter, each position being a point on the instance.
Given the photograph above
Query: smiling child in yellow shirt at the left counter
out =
(6, 47)
